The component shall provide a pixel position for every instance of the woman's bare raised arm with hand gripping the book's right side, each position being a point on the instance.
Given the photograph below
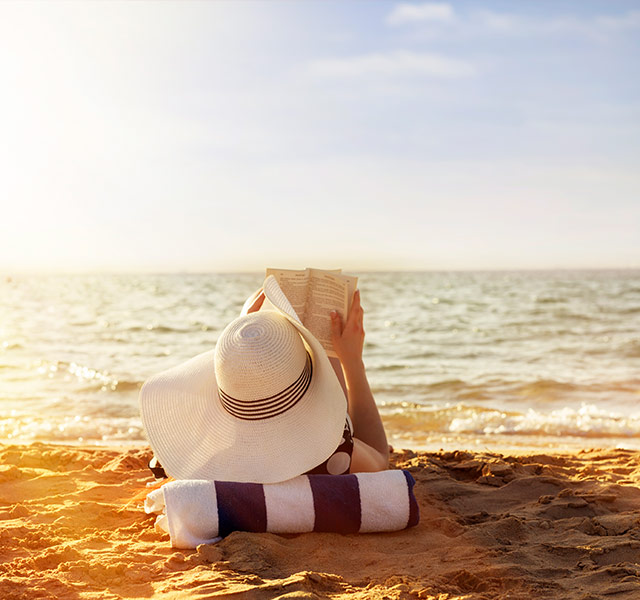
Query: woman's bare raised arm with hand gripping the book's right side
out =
(371, 450)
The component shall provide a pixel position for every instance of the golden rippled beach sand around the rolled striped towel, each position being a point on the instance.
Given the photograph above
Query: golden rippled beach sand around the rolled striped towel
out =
(492, 527)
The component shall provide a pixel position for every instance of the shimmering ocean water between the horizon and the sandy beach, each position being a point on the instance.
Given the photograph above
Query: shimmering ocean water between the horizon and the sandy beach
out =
(478, 360)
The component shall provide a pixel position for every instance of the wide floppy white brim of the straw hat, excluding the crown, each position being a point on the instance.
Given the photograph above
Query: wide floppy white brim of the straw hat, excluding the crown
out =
(194, 437)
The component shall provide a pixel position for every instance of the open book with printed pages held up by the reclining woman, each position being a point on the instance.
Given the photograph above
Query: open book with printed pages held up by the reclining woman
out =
(313, 294)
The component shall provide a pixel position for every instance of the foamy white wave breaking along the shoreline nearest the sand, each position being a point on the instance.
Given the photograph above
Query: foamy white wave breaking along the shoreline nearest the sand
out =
(408, 420)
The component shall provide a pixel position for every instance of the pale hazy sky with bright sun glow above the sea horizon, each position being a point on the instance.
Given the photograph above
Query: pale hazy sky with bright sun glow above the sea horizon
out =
(232, 136)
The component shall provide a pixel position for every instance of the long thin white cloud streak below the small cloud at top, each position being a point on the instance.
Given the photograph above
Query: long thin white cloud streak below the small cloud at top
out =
(396, 63)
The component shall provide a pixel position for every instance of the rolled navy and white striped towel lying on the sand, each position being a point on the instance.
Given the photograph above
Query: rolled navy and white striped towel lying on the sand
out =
(199, 512)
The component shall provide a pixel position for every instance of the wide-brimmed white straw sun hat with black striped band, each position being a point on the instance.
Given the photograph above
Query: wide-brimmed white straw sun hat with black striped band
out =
(264, 406)
